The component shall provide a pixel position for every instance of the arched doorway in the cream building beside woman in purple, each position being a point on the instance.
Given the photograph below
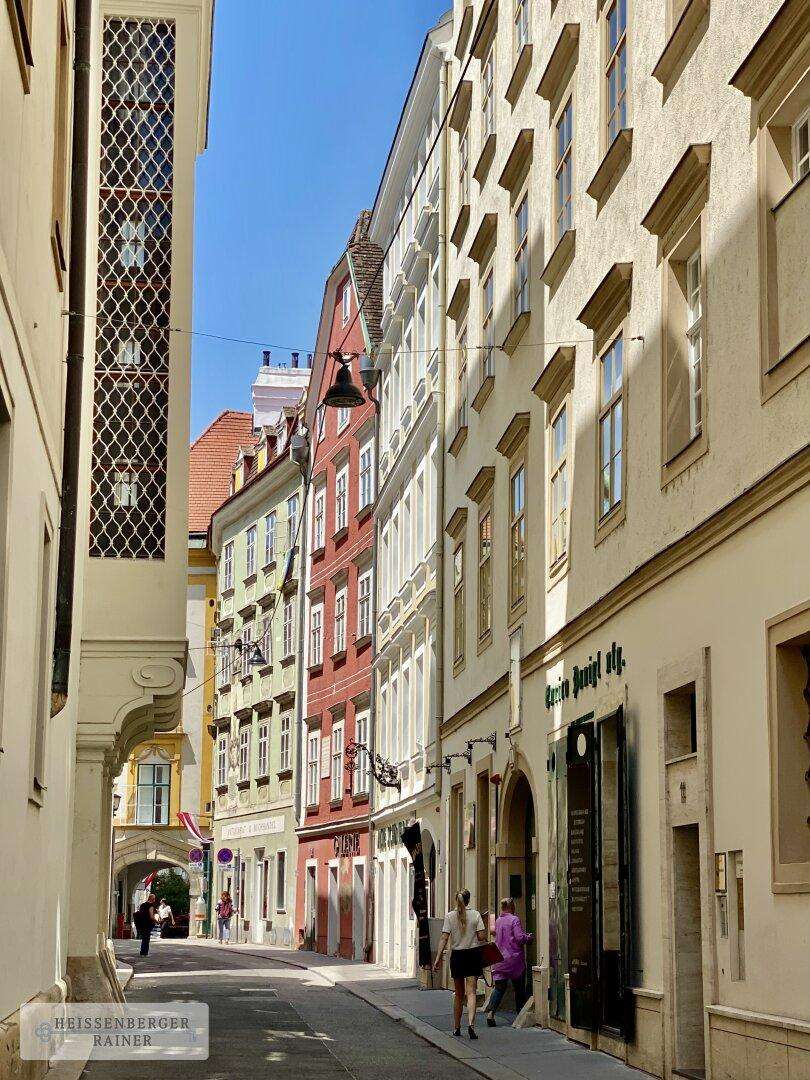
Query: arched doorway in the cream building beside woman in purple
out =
(518, 853)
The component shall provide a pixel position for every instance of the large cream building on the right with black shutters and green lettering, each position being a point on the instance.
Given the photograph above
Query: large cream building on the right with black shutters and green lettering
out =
(629, 402)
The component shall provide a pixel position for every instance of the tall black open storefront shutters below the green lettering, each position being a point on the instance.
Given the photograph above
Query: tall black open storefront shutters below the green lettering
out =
(599, 879)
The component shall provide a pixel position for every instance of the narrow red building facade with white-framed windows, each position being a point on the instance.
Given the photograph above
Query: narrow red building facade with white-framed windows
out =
(334, 865)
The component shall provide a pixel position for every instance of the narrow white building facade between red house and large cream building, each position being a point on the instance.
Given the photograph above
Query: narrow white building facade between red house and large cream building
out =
(409, 544)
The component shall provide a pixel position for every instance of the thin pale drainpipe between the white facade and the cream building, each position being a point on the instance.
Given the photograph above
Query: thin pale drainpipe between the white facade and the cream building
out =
(441, 406)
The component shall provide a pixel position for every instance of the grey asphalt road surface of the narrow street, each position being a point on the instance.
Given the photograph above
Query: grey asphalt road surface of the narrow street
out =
(269, 1019)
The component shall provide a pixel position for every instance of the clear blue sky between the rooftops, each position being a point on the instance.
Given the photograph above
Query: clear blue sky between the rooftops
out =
(303, 114)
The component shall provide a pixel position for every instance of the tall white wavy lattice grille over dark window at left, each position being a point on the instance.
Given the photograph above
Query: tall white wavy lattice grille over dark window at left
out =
(131, 394)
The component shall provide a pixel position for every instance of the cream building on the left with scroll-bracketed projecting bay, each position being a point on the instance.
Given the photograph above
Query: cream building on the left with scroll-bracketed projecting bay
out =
(125, 631)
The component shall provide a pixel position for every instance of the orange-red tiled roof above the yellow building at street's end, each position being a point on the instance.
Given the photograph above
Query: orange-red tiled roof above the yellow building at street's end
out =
(212, 460)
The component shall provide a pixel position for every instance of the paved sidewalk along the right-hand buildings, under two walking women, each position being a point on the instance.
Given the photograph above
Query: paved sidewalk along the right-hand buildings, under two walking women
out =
(501, 1054)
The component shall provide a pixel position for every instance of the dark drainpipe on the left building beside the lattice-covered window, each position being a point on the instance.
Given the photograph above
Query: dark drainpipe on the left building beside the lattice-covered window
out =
(77, 290)
